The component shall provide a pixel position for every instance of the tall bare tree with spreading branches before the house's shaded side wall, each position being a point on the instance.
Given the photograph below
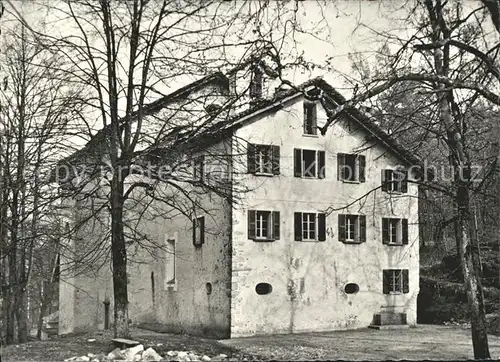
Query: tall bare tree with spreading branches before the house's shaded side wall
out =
(126, 53)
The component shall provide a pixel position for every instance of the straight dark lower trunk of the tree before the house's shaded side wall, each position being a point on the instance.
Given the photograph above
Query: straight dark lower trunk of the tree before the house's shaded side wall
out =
(119, 253)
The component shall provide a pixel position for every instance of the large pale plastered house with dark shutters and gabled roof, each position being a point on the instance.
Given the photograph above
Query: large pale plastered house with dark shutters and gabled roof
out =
(320, 232)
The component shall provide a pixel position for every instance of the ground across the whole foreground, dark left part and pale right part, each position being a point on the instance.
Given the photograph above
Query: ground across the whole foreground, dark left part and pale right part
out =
(420, 343)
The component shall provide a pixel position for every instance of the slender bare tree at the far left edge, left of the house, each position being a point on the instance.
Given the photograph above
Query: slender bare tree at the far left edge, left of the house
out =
(35, 105)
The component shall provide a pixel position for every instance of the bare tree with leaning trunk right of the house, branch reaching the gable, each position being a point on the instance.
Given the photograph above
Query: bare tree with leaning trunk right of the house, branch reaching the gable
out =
(450, 59)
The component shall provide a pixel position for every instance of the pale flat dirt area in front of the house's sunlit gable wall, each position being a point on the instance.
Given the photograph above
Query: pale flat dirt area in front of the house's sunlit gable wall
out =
(420, 343)
